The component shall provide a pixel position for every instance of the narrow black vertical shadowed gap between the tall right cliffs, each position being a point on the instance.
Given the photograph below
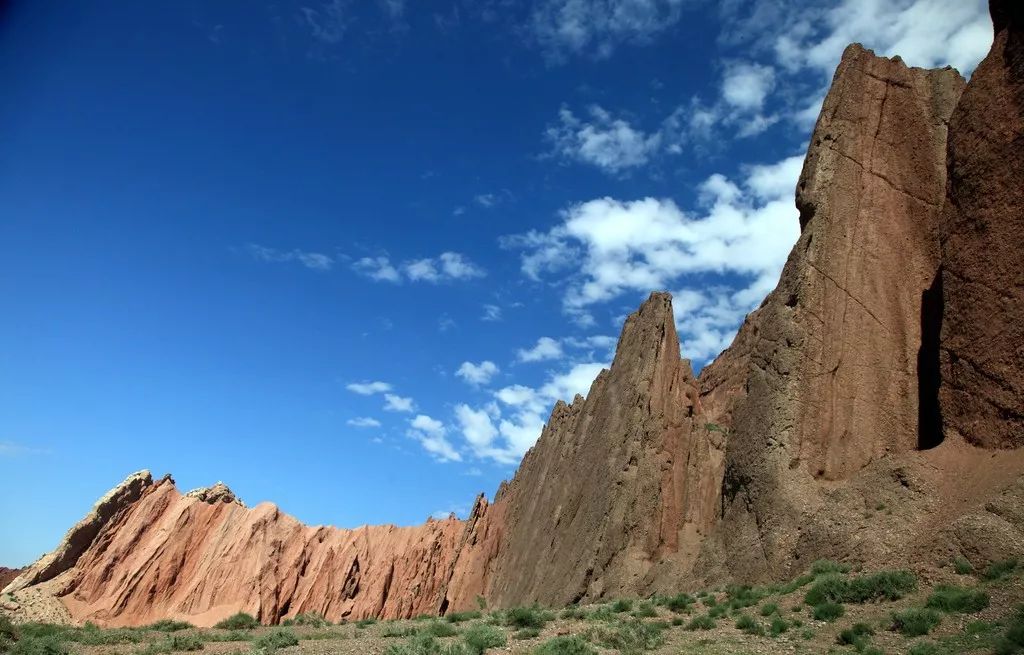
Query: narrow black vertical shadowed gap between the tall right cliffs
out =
(929, 414)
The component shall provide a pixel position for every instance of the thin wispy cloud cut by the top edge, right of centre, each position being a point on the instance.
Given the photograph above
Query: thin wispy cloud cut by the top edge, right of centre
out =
(595, 28)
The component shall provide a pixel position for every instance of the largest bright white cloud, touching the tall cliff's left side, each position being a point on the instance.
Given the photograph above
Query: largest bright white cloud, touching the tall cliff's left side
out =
(742, 234)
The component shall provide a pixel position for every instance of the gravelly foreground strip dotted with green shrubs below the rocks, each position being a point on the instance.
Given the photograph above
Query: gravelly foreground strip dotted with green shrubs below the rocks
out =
(831, 609)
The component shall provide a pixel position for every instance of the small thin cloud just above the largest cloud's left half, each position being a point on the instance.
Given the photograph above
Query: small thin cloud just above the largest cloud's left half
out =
(610, 144)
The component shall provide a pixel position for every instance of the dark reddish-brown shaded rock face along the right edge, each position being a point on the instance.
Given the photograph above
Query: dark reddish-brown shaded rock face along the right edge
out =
(983, 339)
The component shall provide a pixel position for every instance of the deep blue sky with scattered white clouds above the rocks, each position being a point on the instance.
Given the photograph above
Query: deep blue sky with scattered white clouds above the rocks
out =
(345, 256)
